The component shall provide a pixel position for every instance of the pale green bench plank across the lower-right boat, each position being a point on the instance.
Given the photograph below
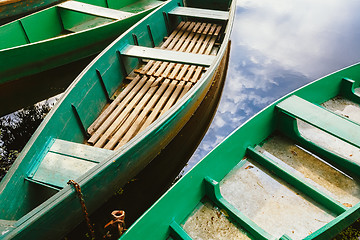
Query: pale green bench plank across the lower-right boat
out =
(321, 118)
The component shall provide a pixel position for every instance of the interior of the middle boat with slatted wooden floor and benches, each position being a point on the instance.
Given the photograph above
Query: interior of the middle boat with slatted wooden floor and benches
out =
(128, 87)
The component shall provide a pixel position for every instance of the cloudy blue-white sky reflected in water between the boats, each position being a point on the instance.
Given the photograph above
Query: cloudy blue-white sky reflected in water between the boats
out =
(277, 47)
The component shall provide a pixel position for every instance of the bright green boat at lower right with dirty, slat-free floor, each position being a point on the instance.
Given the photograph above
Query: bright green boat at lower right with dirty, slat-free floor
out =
(290, 172)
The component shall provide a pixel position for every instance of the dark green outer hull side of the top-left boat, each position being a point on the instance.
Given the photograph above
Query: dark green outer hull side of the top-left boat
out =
(29, 59)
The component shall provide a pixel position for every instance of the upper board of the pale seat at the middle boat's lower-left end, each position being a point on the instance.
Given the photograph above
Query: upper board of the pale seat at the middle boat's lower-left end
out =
(78, 150)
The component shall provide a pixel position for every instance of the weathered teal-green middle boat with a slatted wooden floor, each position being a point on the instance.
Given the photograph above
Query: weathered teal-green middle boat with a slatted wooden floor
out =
(121, 111)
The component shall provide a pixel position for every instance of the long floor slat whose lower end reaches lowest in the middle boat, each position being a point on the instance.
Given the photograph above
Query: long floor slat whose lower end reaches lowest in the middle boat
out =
(147, 109)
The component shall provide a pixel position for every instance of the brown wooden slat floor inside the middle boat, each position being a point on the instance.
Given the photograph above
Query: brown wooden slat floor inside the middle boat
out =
(155, 88)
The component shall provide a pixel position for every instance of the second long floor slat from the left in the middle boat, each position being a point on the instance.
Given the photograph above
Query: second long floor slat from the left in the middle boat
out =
(115, 113)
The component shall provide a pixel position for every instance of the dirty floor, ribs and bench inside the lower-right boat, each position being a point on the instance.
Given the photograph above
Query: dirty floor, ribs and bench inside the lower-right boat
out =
(301, 182)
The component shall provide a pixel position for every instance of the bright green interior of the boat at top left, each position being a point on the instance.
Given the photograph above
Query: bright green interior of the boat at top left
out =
(69, 17)
